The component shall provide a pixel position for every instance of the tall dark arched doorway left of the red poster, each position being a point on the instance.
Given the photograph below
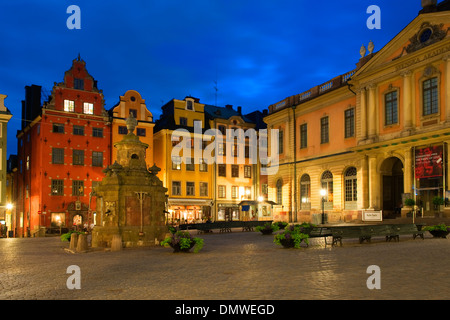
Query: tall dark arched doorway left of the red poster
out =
(392, 187)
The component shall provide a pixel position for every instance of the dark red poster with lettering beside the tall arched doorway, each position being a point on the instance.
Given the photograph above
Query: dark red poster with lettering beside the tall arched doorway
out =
(429, 162)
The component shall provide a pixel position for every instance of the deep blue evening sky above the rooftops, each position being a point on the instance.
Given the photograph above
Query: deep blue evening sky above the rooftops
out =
(259, 52)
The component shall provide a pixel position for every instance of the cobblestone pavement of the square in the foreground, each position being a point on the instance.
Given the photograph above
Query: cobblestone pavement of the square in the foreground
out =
(240, 265)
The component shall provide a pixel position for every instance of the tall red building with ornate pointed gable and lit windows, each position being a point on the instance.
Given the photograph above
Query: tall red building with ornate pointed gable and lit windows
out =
(62, 149)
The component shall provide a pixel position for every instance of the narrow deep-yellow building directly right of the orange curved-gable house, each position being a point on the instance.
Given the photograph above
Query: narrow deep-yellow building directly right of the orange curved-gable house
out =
(189, 184)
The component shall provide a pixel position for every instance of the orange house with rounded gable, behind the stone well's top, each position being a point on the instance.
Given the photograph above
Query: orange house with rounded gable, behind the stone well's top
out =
(132, 102)
